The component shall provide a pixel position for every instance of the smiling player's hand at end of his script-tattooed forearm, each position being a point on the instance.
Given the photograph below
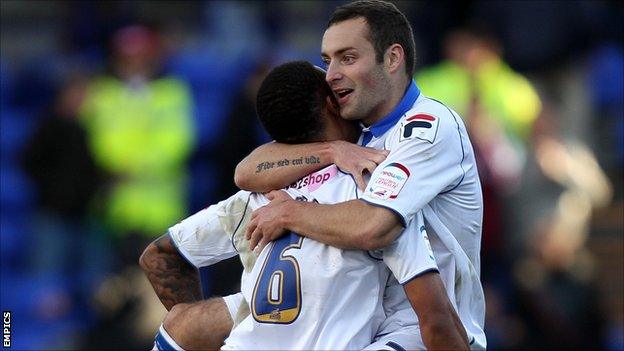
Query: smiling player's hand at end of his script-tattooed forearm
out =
(357, 160)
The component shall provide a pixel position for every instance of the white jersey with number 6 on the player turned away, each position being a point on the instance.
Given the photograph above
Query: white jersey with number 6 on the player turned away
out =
(338, 305)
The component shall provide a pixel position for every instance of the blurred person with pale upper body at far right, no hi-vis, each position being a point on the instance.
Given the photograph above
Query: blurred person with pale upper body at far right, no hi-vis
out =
(556, 286)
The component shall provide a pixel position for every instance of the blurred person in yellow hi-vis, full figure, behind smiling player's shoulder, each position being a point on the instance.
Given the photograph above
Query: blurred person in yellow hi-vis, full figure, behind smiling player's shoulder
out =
(500, 107)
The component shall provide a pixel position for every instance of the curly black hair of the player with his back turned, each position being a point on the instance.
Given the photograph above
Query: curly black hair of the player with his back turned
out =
(291, 100)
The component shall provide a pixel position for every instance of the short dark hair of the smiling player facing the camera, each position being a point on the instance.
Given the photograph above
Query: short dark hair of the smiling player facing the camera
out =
(387, 25)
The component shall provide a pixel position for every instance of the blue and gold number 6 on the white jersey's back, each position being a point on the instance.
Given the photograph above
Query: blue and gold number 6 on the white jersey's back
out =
(277, 293)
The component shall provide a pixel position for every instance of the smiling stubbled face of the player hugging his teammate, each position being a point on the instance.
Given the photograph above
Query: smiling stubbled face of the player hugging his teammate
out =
(361, 84)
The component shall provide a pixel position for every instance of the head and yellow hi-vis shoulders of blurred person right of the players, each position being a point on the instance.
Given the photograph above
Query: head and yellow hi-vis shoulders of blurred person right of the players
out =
(474, 69)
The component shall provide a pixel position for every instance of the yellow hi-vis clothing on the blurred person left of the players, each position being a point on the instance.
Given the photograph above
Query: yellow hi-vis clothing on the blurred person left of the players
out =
(142, 137)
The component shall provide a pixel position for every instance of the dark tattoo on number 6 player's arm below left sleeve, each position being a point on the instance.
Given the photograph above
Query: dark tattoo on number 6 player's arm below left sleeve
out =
(174, 280)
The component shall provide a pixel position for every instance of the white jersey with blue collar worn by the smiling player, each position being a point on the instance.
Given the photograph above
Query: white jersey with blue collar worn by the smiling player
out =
(431, 169)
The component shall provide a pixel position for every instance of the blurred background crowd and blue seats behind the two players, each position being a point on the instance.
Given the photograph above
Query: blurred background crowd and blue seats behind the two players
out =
(119, 118)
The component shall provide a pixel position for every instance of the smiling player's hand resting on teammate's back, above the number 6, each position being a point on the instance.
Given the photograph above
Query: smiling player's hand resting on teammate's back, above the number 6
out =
(265, 225)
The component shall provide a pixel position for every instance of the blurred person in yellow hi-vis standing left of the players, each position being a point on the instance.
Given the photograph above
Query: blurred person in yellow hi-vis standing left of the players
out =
(140, 129)
